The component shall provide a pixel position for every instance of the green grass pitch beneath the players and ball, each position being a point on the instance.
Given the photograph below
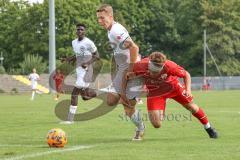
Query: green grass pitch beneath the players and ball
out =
(24, 125)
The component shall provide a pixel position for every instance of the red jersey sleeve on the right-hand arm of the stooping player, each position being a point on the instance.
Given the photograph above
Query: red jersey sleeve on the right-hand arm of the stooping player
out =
(176, 70)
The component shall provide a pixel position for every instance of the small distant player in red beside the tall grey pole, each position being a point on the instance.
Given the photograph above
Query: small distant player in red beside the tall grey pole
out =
(58, 78)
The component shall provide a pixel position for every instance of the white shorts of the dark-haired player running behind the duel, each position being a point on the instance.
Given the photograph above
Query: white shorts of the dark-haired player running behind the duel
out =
(82, 77)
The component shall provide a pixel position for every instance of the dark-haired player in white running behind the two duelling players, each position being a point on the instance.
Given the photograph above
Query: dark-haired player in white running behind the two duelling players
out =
(85, 54)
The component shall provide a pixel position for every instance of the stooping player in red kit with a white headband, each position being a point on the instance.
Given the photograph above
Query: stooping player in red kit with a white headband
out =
(161, 80)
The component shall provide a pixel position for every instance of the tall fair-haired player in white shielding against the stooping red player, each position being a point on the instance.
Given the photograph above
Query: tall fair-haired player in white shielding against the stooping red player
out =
(125, 55)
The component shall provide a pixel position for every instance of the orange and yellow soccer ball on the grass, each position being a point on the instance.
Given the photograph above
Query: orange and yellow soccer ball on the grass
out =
(56, 137)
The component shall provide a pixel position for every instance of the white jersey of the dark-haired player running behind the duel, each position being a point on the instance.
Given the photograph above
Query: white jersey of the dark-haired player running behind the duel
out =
(83, 50)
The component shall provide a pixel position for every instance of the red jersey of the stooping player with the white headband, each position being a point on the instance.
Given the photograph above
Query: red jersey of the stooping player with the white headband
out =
(163, 84)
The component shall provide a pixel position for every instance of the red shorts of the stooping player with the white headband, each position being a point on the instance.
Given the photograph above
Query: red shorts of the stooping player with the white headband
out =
(159, 102)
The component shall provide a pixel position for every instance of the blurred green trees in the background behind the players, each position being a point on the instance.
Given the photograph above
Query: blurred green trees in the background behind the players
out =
(172, 26)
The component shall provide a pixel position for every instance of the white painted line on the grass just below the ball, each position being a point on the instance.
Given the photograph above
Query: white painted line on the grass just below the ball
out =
(58, 150)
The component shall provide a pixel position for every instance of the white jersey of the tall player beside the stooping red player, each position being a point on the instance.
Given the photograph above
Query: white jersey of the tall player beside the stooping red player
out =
(117, 35)
